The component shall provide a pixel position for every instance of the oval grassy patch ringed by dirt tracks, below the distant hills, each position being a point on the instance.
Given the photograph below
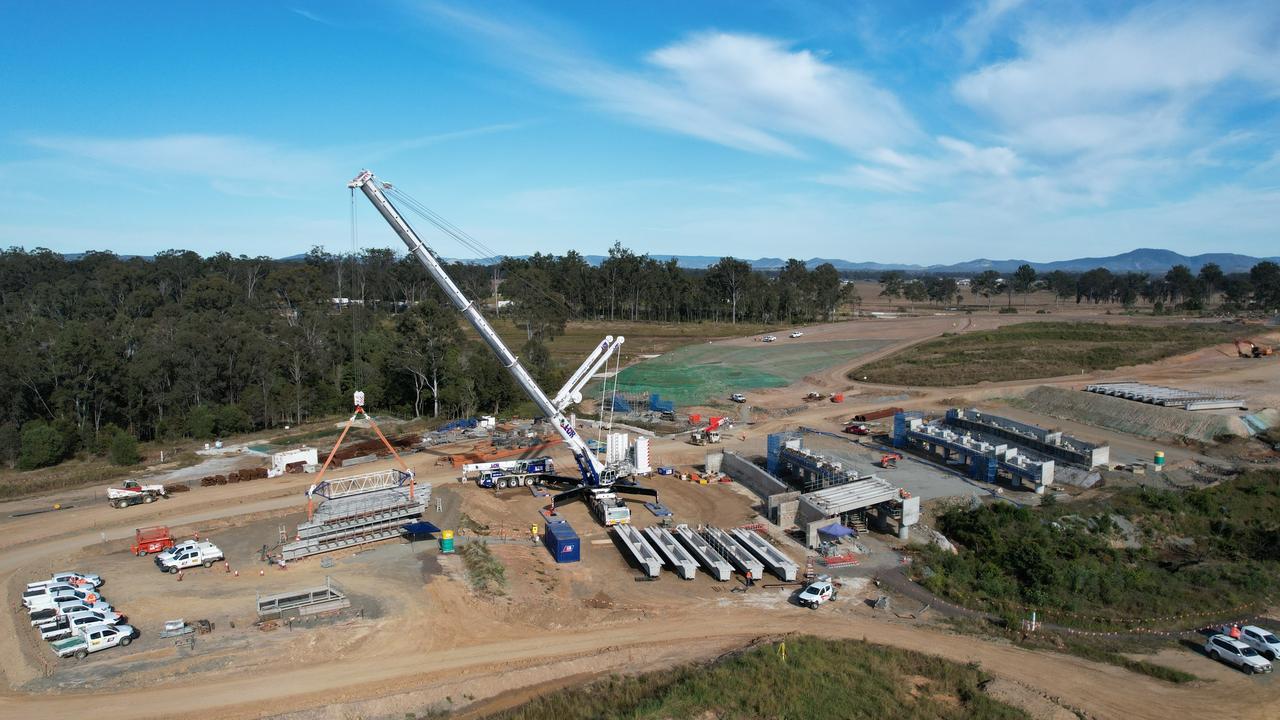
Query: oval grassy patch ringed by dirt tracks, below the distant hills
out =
(1037, 350)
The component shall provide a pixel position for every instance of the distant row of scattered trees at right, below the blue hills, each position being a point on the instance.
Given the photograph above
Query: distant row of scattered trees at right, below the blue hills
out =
(1177, 289)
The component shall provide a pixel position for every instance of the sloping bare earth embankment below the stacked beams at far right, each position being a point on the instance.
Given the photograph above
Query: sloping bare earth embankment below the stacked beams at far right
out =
(1130, 417)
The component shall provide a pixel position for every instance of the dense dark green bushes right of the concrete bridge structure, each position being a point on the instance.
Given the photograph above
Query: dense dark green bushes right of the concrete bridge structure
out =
(1201, 553)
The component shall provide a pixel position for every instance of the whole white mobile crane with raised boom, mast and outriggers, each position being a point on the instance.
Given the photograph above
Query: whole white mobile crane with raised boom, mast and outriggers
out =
(597, 486)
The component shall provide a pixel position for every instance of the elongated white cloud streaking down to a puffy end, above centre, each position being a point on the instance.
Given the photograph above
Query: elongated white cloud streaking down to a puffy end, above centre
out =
(744, 92)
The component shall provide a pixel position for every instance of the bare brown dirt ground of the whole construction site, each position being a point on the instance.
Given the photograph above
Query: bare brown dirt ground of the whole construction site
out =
(420, 637)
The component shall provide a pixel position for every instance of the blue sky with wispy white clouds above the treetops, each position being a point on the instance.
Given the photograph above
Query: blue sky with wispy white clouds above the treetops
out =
(917, 133)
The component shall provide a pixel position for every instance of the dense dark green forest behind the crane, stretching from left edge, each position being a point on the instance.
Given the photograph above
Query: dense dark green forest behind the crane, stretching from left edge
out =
(108, 350)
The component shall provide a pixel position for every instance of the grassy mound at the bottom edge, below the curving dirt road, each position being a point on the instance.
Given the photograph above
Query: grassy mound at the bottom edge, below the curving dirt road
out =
(817, 680)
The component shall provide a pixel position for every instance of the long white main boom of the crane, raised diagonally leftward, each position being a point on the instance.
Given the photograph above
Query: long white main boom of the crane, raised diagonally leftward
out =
(593, 473)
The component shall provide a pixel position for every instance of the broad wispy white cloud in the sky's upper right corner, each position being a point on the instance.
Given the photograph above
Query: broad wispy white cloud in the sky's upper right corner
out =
(1126, 85)
